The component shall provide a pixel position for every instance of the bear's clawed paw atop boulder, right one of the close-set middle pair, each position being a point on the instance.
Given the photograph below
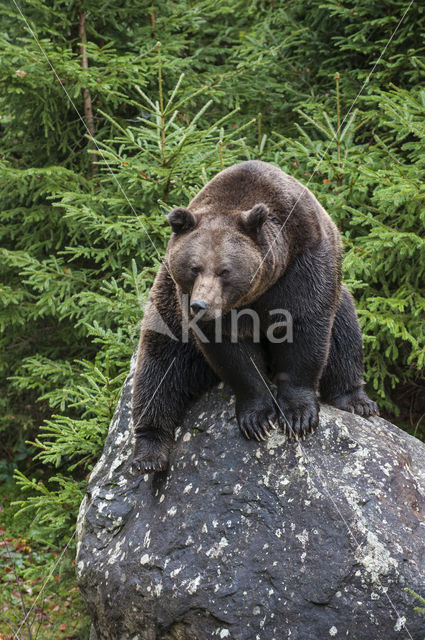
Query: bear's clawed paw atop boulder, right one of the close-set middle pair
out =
(299, 412)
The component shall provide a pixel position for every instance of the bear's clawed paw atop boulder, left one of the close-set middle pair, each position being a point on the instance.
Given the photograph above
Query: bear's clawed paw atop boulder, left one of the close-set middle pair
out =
(256, 417)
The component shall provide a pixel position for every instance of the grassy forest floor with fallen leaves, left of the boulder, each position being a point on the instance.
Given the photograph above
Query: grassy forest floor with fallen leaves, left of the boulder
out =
(53, 607)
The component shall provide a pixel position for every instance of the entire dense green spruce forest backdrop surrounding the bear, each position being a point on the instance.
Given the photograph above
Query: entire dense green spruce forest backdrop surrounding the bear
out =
(83, 228)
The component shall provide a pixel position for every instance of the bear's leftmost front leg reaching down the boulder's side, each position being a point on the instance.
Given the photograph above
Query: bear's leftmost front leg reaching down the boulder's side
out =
(170, 373)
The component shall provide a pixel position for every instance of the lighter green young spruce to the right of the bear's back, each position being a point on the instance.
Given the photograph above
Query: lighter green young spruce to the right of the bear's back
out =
(375, 193)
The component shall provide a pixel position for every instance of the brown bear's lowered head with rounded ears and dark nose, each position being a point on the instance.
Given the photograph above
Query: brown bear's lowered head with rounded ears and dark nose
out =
(217, 259)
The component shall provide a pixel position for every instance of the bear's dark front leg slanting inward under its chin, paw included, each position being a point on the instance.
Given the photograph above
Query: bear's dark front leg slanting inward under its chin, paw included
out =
(241, 366)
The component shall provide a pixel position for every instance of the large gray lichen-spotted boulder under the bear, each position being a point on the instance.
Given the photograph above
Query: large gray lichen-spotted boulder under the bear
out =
(250, 541)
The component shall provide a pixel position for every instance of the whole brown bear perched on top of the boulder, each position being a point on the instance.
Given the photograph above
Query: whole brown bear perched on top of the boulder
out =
(254, 242)
